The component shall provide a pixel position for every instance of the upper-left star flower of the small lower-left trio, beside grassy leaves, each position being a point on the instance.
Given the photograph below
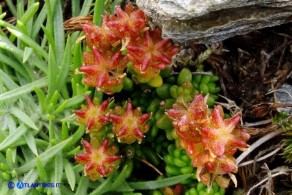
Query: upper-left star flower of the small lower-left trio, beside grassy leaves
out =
(94, 117)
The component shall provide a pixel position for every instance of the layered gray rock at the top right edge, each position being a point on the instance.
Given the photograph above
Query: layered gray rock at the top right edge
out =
(208, 21)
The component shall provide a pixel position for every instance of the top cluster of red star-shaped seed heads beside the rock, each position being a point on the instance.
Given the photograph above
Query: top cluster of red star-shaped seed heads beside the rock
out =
(122, 38)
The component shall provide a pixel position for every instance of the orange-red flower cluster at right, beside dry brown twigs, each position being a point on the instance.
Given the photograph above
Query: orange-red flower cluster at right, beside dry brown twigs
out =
(209, 139)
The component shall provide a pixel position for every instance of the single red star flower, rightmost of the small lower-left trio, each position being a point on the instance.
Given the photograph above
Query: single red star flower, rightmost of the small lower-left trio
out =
(129, 125)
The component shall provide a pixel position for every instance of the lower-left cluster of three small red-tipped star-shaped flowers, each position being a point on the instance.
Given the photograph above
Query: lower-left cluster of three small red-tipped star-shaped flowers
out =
(128, 125)
